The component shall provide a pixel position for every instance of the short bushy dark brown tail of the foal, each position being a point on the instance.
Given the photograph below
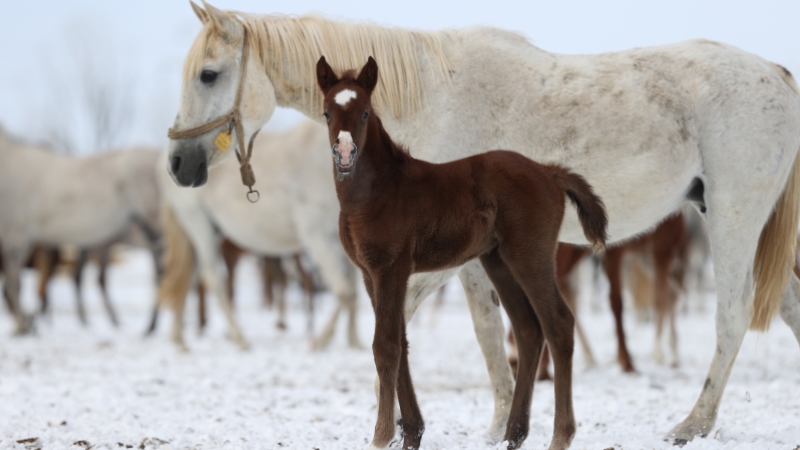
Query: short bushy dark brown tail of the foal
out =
(591, 211)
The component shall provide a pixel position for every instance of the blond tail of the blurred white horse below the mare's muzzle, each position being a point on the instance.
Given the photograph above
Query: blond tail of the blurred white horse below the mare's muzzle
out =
(177, 261)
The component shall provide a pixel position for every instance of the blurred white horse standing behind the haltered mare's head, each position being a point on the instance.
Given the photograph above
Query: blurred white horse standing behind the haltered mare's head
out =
(298, 210)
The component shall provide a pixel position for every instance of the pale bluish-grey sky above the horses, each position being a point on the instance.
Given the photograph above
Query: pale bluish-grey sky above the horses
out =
(144, 42)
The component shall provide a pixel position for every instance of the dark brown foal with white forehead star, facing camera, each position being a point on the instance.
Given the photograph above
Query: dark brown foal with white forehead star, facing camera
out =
(400, 216)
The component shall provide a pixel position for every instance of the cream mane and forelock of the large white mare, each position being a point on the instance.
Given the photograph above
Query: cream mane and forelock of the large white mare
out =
(291, 44)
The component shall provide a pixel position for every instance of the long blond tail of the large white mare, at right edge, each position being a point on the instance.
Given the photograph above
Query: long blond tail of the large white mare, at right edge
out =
(775, 256)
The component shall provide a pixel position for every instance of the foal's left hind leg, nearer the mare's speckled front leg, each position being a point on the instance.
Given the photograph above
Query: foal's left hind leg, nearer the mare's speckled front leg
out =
(529, 338)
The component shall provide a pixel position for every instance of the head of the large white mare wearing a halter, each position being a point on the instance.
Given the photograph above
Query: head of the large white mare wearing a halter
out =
(211, 78)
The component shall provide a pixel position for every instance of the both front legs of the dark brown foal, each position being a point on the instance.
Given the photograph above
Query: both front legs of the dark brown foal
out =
(388, 295)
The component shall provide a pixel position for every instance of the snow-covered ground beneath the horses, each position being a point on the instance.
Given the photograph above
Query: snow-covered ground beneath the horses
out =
(105, 388)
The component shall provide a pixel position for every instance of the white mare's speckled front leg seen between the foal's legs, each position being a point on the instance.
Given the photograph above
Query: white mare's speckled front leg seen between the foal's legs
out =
(490, 332)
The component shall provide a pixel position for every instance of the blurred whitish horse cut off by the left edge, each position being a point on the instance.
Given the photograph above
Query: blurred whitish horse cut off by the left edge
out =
(53, 200)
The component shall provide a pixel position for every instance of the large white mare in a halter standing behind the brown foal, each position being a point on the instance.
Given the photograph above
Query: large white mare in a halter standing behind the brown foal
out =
(651, 129)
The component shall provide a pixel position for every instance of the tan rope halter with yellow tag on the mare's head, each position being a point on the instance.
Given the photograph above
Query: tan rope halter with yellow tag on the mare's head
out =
(234, 120)
